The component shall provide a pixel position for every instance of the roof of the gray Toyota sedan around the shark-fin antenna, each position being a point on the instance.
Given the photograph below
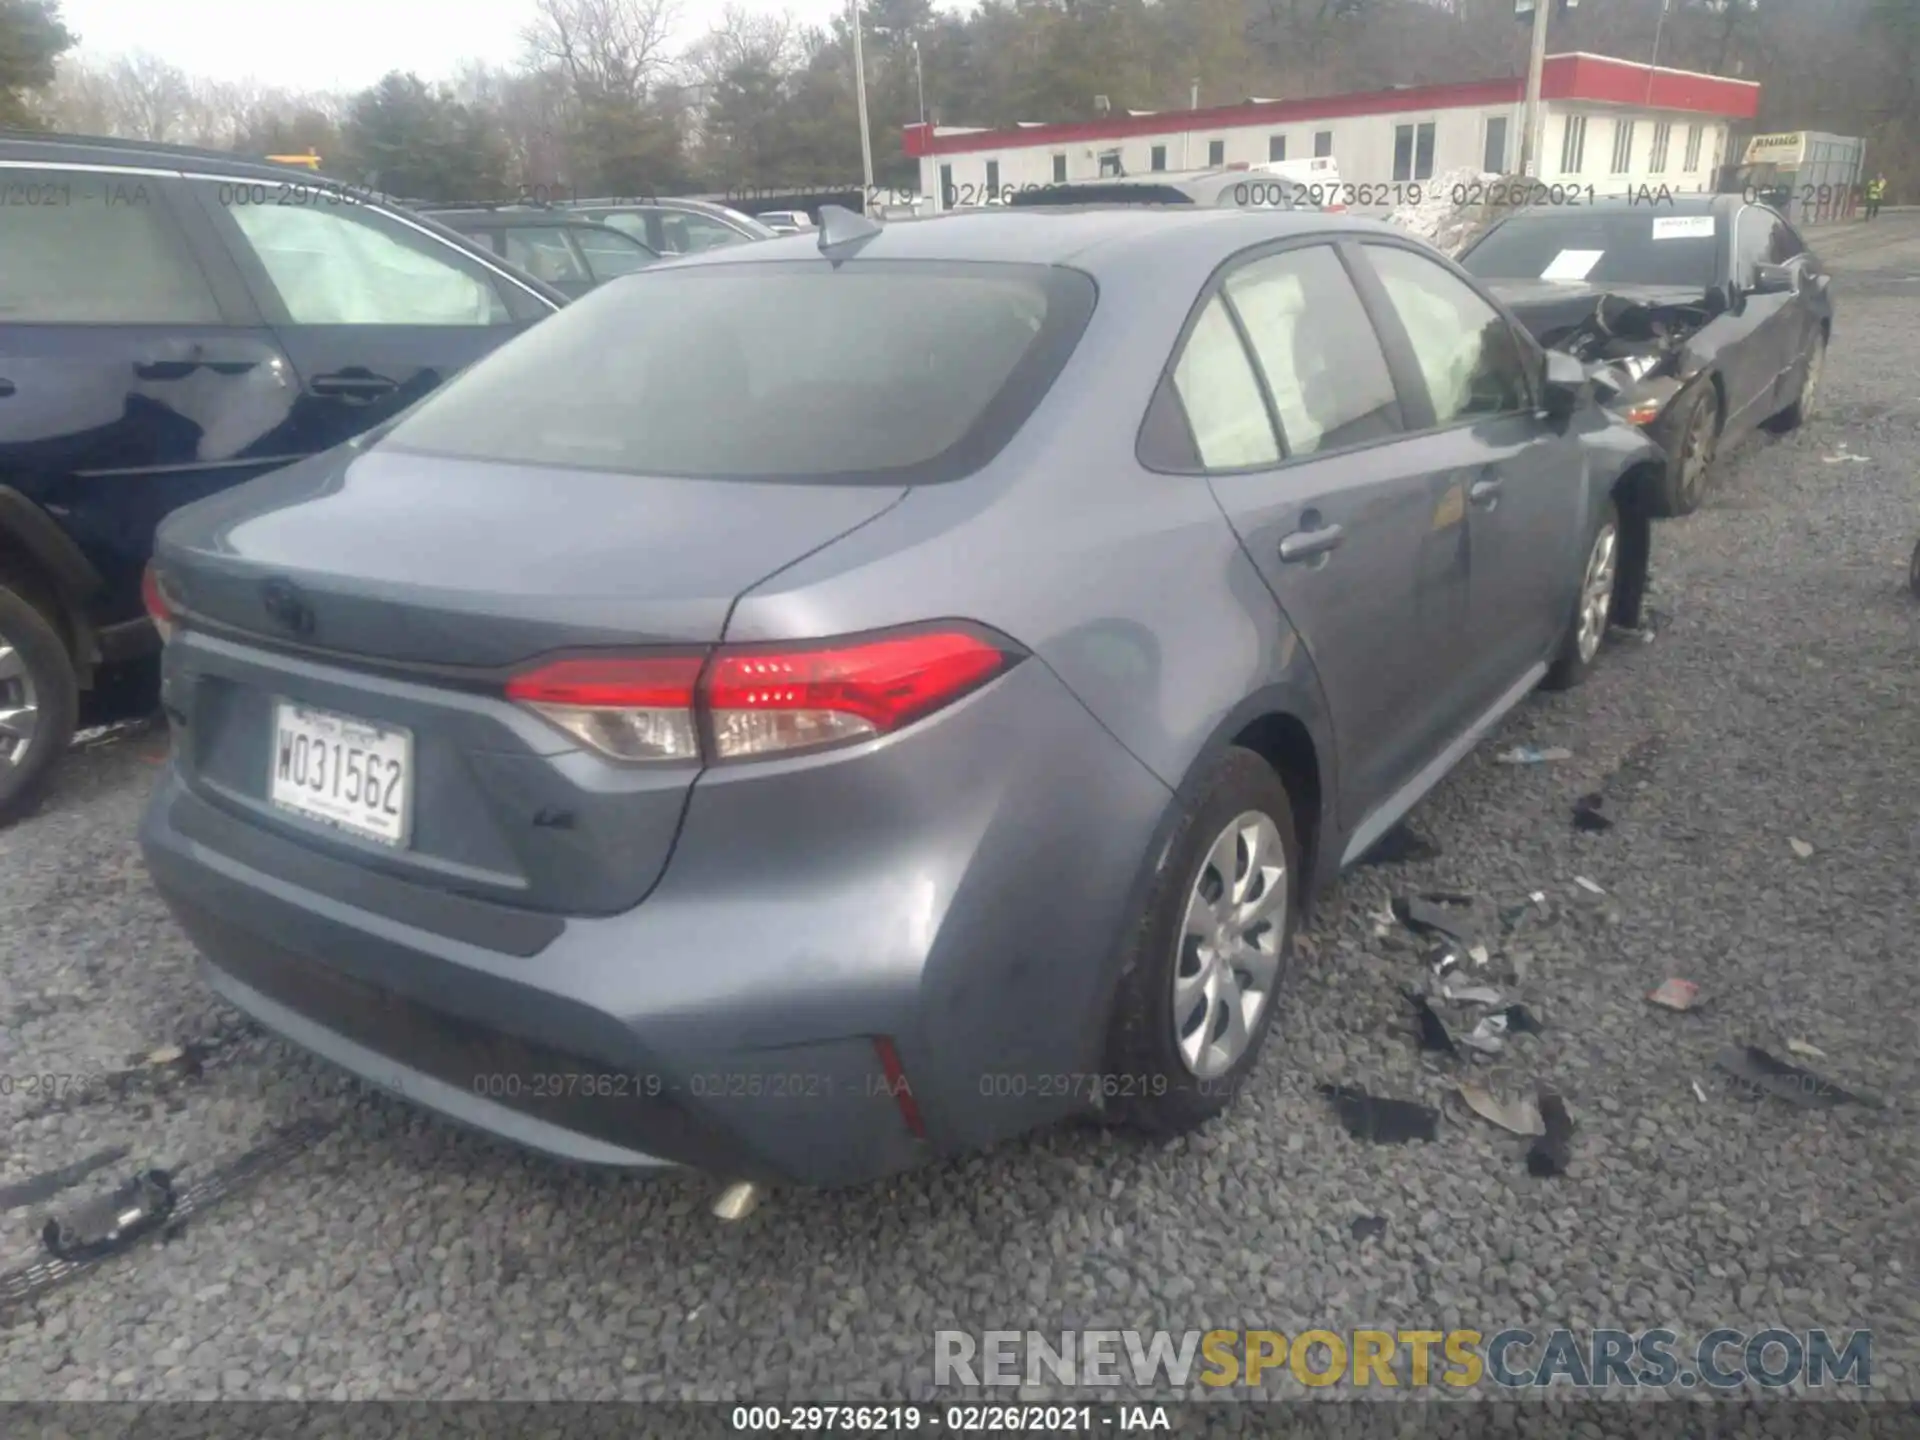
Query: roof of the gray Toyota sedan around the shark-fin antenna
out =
(1088, 237)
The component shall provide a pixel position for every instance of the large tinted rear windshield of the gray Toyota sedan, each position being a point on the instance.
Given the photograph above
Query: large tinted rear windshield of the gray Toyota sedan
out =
(890, 372)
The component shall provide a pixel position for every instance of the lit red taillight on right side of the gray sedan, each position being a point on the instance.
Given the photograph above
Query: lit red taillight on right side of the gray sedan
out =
(761, 700)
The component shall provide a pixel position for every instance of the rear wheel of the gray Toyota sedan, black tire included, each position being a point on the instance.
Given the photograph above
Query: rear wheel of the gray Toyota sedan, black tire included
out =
(1174, 1057)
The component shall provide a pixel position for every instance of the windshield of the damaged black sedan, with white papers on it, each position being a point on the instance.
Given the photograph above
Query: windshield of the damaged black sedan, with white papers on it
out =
(1631, 247)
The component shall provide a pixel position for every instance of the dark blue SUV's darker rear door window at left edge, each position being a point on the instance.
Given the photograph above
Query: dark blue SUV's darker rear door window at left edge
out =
(95, 249)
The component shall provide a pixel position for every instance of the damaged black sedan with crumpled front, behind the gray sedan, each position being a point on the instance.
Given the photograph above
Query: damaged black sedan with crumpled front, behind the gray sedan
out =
(1710, 314)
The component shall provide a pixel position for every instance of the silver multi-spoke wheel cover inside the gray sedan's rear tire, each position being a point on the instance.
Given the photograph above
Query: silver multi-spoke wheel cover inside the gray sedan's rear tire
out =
(1230, 946)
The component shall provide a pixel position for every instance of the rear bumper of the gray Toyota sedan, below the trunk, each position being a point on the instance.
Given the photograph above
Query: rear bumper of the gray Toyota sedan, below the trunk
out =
(953, 890)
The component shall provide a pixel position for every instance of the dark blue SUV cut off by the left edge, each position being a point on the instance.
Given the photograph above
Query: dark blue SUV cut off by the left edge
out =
(172, 324)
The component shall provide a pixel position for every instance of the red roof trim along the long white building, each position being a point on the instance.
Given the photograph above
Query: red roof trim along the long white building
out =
(1566, 78)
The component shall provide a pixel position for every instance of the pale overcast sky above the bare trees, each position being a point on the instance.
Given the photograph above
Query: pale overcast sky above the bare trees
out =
(347, 45)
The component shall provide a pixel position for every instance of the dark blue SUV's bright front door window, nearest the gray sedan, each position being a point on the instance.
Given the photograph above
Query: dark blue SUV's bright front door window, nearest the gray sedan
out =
(354, 266)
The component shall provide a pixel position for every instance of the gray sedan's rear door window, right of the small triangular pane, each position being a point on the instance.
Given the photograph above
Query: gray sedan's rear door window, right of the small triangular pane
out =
(1316, 350)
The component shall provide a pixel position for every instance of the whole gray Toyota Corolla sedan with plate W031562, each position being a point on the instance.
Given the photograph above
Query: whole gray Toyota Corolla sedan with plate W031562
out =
(836, 702)
